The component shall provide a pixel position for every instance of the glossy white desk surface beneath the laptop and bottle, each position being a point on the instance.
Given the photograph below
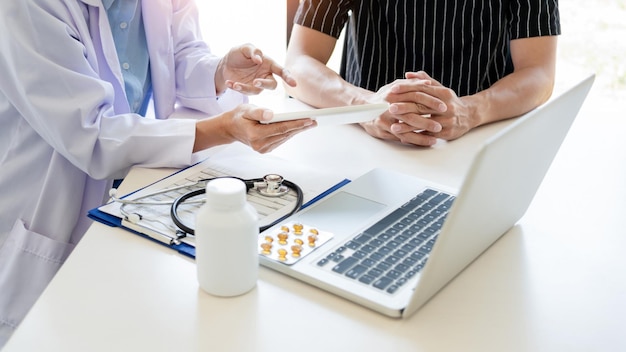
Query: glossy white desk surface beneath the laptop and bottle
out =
(555, 282)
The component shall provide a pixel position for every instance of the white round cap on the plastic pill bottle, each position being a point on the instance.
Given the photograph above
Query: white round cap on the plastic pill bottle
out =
(225, 192)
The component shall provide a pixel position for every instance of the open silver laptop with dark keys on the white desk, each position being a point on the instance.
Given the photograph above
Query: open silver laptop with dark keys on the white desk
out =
(398, 239)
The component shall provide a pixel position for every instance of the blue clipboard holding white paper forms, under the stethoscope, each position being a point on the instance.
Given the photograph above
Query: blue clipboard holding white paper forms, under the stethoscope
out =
(232, 161)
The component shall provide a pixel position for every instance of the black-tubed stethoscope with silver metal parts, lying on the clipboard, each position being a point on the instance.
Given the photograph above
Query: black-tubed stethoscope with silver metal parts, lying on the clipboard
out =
(271, 185)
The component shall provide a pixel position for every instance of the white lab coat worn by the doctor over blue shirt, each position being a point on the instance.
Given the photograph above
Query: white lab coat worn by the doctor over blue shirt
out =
(65, 126)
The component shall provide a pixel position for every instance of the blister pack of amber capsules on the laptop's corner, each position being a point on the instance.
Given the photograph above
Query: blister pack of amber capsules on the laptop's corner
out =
(291, 242)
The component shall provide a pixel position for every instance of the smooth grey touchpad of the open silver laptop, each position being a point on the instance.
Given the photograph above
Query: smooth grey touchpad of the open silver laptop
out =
(343, 213)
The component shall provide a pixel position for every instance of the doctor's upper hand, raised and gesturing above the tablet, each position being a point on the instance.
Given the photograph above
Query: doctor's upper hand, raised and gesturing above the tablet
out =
(247, 71)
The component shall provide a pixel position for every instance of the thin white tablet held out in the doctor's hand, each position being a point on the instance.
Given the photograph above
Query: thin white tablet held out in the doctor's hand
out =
(334, 116)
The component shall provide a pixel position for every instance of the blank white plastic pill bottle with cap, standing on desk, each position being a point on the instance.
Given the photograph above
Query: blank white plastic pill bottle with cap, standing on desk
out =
(226, 239)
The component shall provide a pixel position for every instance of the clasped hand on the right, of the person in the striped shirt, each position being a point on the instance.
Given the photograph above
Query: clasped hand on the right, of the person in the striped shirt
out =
(454, 116)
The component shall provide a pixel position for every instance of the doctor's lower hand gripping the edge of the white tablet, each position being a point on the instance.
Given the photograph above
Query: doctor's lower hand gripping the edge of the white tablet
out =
(243, 124)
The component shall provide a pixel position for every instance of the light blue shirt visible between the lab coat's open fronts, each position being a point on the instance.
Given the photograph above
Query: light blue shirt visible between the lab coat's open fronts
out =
(130, 42)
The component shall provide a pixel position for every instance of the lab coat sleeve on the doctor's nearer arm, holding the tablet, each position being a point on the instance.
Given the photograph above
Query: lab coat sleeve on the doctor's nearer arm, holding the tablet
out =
(65, 90)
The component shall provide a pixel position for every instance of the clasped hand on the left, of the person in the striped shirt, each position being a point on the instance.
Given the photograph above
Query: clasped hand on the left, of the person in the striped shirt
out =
(409, 109)
